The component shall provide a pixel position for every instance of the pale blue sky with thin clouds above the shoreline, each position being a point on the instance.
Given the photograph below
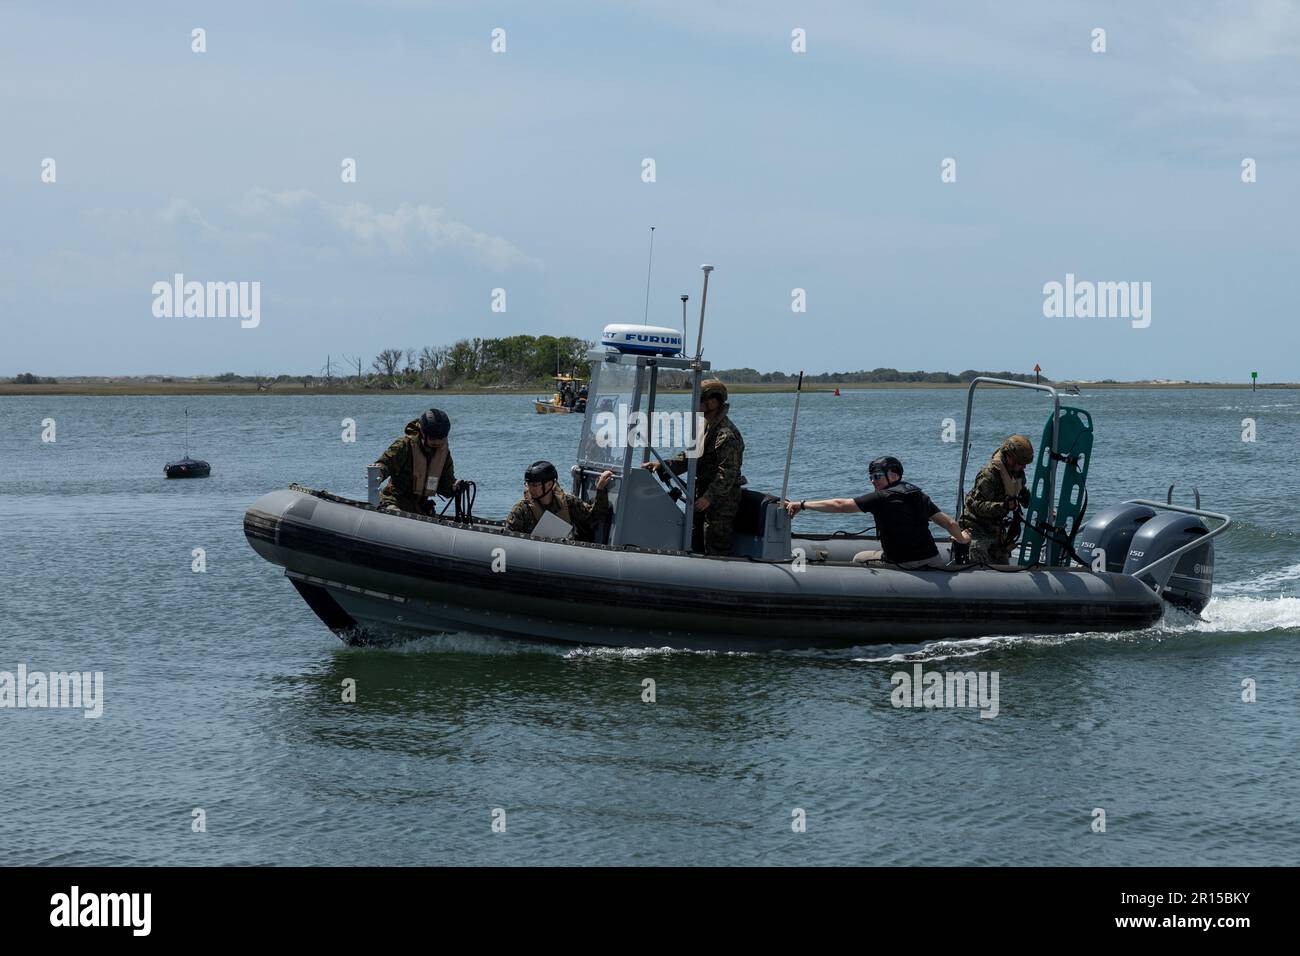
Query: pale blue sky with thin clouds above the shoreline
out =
(523, 171)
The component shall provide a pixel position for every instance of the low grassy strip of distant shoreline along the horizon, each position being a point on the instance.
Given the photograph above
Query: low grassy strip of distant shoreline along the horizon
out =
(209, 388)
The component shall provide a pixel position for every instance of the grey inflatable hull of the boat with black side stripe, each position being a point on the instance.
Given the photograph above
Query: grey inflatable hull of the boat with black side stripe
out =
(369, 573)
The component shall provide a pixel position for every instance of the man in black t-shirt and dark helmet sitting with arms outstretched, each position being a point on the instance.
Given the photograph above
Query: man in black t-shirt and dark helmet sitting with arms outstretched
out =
(903, 514)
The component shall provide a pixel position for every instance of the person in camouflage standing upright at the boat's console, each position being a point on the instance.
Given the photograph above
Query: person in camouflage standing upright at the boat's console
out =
(718, 479)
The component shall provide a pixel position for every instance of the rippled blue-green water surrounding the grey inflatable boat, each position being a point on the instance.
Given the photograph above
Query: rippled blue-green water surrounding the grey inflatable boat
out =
(223, 690)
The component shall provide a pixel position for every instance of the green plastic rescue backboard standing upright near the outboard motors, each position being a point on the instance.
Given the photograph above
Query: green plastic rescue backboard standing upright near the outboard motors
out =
(1076, 445)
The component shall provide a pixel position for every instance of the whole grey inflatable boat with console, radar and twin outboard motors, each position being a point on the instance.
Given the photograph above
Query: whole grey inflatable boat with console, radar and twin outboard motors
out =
(374, 574)
